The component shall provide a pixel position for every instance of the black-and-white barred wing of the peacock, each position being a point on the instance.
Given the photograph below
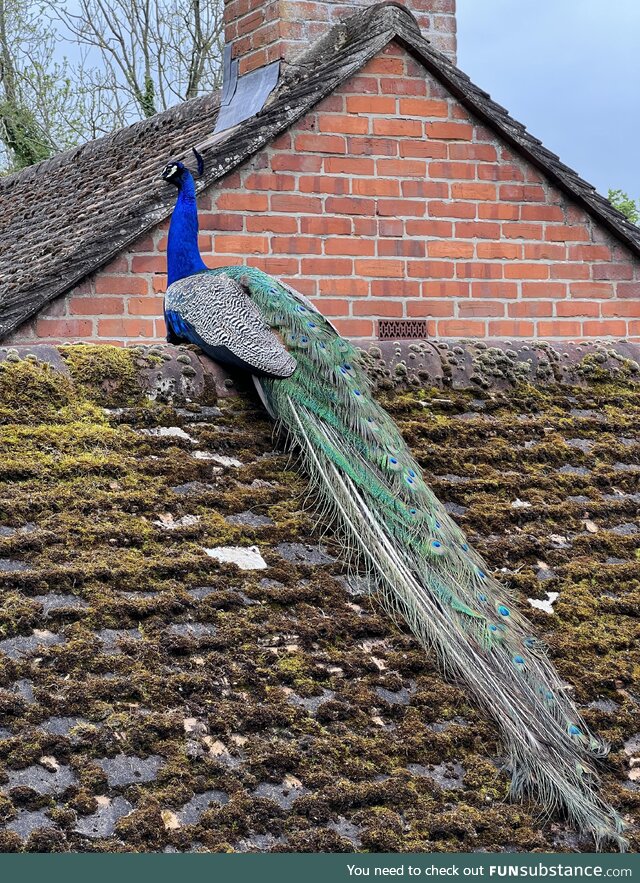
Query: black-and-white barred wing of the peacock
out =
(217, 313)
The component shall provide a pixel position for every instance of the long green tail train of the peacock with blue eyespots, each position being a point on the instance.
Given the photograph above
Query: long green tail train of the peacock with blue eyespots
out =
(420, 563)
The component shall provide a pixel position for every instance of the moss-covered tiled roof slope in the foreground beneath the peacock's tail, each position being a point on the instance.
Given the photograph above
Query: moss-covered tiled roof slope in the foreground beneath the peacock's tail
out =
(153, 698)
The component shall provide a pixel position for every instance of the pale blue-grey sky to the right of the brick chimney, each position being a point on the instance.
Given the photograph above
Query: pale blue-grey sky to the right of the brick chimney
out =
(569, 70)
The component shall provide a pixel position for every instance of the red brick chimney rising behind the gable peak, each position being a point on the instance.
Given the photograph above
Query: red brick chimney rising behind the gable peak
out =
(263, 31)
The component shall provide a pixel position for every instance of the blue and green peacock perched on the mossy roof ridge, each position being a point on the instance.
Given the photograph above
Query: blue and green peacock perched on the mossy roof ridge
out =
(314, 384)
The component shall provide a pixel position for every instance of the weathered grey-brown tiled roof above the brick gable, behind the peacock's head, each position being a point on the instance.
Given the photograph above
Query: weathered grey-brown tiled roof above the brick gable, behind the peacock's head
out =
(66, 217)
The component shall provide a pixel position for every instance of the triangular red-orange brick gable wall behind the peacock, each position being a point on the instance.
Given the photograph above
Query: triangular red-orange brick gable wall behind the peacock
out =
(389, 200)
